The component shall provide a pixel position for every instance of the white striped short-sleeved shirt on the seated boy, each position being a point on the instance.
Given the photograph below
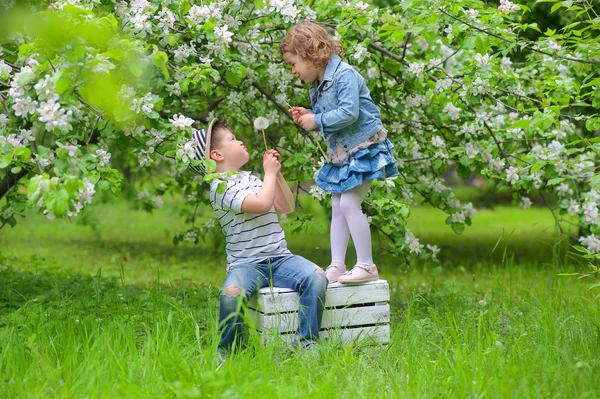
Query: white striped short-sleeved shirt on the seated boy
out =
(250, 238)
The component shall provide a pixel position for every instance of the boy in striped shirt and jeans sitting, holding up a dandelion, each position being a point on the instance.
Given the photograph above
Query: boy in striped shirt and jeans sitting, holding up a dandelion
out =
(257, 253)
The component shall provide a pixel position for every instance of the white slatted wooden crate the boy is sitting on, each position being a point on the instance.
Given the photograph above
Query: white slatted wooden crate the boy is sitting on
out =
(352, 312)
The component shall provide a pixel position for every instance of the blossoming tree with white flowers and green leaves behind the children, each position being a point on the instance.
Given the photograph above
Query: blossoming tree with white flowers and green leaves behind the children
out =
(89, 87)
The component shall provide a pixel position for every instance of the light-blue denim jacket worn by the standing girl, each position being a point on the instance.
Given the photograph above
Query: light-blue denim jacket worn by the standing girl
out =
(344, 110)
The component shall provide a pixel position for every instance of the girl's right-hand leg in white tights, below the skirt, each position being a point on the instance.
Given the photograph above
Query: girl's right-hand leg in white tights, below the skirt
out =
(357, 222)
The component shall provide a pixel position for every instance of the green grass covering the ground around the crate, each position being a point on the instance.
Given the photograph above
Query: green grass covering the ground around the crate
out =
(120, 311)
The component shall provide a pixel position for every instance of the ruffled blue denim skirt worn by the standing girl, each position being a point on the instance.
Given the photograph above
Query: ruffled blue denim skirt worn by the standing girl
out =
(373, 162)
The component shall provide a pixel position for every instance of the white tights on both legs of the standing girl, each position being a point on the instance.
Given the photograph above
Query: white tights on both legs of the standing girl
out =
(348, 220)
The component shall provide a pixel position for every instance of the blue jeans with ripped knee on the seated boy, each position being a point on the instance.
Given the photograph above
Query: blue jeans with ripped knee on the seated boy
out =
(293, 272)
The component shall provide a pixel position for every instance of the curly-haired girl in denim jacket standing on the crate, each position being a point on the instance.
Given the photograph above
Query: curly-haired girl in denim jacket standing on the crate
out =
(357, 145)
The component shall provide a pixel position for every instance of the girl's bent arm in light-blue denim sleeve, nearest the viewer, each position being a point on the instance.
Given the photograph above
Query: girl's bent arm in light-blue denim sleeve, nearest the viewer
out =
(347, 94)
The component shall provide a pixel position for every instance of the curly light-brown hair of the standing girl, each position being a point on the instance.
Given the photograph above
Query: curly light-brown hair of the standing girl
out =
(312, 43)
